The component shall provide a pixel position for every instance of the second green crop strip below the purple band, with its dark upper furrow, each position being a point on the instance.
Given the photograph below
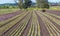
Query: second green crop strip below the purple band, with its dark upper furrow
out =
(11, 23)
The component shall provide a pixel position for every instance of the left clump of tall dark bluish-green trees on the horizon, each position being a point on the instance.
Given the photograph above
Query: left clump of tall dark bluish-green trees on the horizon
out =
(24, 3)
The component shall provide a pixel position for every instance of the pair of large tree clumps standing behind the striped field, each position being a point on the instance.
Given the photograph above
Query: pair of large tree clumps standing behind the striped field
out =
(27, 3)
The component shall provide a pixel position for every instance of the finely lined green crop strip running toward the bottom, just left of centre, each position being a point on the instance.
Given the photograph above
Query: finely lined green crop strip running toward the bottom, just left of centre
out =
(21, 27)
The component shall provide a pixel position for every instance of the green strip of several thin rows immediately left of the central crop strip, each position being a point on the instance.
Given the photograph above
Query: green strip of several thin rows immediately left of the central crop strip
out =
(23, 25)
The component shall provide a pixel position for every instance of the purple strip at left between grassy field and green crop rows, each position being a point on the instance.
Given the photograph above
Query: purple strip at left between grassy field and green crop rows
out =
(9, 15)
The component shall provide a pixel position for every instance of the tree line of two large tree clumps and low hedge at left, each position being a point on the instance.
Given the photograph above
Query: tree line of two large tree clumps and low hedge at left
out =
(24, 4)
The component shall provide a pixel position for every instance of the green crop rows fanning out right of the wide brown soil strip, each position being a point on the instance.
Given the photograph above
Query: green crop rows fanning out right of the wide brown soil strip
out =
(52, 28)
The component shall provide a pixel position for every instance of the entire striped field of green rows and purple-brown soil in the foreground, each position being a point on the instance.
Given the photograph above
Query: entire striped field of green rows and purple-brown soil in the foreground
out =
(30, 23)
